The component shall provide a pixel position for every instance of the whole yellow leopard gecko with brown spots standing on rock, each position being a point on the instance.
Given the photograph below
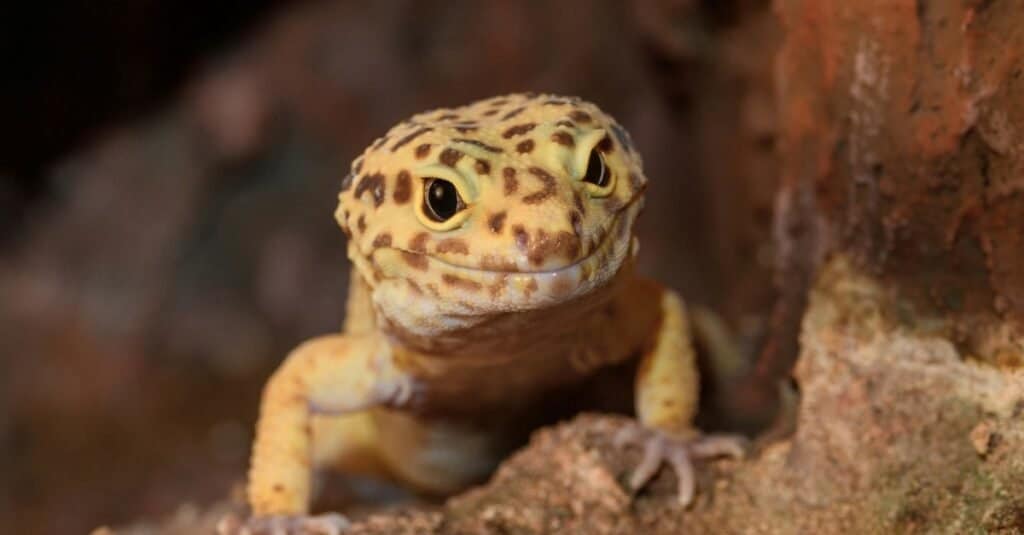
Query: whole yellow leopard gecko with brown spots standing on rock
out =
(457, 330)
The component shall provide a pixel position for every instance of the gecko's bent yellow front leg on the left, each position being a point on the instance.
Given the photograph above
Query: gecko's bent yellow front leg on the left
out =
(334, 376)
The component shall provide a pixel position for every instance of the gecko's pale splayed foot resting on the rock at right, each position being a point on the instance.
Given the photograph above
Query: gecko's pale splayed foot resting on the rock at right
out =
(661, 447)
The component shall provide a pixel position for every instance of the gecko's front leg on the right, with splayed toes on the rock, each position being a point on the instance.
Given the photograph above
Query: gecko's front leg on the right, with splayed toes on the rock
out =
(667, 392)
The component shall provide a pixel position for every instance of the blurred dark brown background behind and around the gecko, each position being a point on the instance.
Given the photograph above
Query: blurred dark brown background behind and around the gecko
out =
(168, 172)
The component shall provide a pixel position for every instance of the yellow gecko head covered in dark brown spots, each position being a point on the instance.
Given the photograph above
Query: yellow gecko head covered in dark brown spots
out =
(515, 203)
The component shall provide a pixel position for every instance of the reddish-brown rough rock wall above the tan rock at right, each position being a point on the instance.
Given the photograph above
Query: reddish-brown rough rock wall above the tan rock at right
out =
(902, 149)
